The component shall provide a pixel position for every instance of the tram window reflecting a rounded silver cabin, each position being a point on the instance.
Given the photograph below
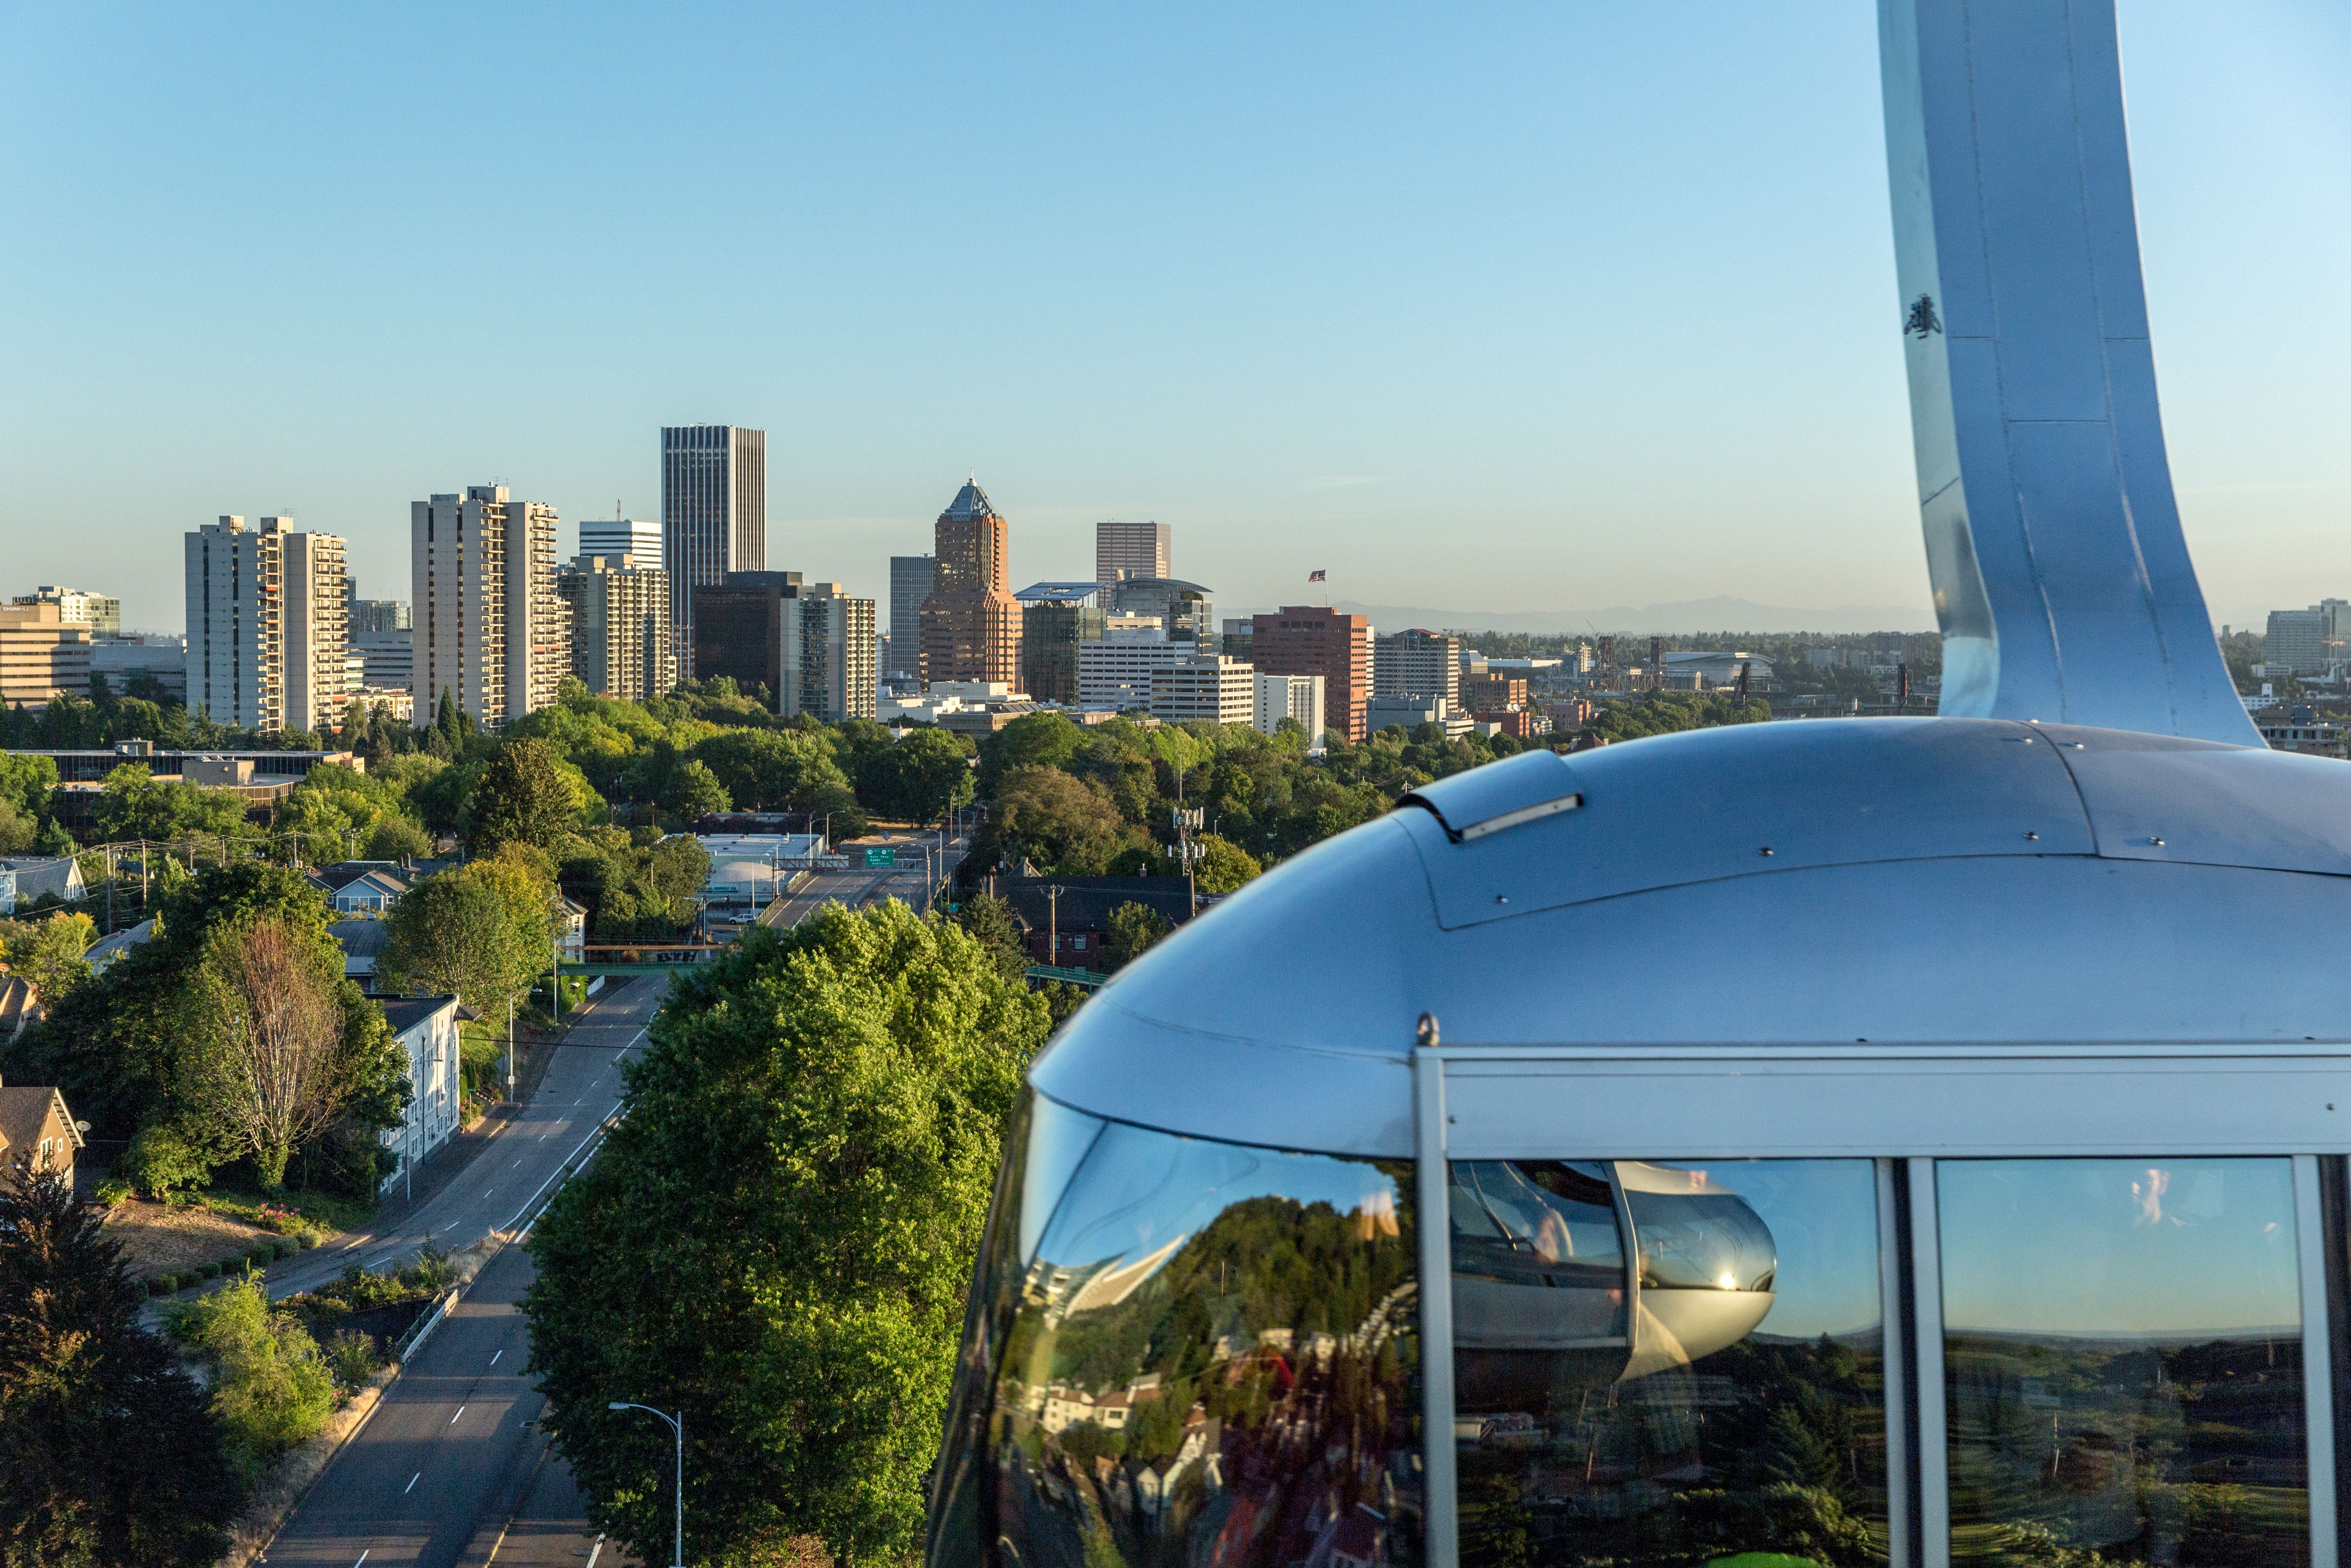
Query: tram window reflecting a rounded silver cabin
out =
(1722, 1398)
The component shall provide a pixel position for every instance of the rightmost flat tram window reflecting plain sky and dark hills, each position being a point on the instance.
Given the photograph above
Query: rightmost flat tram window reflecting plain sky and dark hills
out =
(2124, 1362)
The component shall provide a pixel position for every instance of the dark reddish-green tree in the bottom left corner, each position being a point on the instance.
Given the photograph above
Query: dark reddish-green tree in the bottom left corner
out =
(107, 1449)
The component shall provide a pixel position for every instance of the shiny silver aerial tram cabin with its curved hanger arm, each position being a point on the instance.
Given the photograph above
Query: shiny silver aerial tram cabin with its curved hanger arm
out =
(1866, 1141)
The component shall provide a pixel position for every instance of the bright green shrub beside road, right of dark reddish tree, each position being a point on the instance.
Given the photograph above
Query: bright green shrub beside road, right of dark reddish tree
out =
(269, 1381)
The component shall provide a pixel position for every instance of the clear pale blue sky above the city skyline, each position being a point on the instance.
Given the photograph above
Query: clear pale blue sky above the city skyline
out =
(1475, 307)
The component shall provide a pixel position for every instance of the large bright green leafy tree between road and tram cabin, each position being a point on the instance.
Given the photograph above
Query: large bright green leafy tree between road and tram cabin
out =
(779, 1235)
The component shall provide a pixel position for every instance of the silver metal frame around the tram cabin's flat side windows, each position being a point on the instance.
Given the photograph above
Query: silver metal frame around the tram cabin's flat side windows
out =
(1910, 1111)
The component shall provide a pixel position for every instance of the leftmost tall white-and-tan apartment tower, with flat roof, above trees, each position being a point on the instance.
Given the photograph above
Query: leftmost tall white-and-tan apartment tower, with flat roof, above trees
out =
(267, 624)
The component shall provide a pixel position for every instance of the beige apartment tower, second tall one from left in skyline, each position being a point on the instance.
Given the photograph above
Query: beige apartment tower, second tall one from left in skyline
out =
(490, 626)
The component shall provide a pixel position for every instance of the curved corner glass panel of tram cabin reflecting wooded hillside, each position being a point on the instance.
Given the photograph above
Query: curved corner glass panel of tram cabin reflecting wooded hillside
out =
(1207, 1362)
